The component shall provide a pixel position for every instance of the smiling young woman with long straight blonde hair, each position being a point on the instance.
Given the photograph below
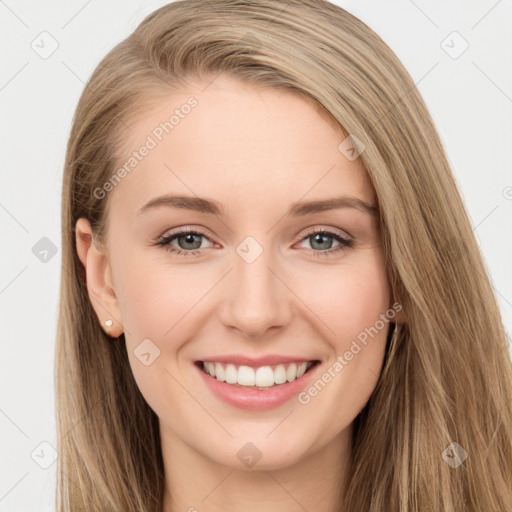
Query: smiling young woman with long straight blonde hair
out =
(258, 368)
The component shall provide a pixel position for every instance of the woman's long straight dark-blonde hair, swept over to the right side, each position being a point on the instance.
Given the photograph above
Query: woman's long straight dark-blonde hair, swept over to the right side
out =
(447, 375)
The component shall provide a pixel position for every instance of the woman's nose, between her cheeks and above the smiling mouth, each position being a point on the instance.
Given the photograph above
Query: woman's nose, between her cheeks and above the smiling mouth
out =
(256, 298)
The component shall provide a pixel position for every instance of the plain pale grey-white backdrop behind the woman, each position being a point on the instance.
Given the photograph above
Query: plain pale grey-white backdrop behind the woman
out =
(470, 98)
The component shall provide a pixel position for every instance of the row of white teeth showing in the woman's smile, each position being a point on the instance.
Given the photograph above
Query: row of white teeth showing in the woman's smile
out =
(262, 377)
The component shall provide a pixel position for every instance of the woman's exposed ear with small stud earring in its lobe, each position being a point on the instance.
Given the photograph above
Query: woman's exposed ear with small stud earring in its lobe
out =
(98, 278)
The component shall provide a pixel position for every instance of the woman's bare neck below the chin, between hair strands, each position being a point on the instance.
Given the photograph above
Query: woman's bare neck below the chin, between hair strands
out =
(195, 482)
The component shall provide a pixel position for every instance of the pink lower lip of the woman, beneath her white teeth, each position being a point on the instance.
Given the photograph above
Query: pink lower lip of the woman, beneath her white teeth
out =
(256, 399)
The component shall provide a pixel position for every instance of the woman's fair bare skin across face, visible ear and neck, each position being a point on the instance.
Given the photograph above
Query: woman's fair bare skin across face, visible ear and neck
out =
(256, 151)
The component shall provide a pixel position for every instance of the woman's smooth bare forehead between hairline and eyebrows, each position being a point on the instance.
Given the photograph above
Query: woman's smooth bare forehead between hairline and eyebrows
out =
(239, 144)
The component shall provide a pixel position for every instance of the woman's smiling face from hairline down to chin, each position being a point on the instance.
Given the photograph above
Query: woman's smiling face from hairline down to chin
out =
(260, 275)
